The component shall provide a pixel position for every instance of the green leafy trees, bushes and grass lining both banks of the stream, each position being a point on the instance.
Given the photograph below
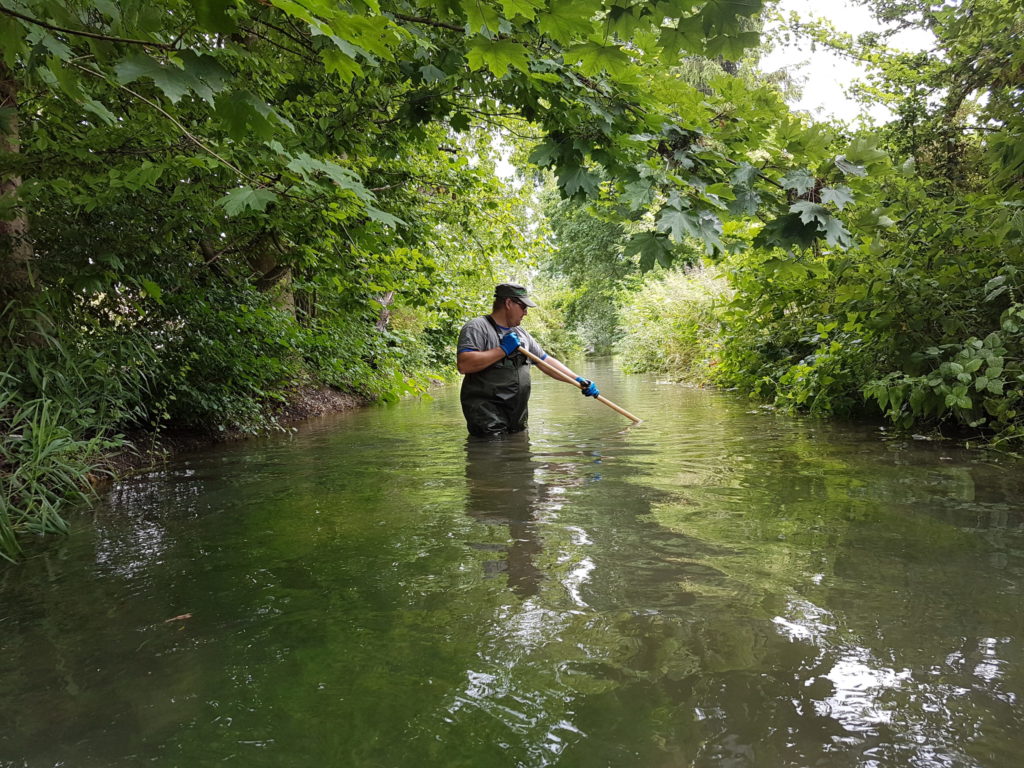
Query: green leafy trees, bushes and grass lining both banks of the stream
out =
(210, 204)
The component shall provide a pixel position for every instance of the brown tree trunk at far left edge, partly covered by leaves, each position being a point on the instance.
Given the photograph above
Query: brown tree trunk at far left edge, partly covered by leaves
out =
(16, 250)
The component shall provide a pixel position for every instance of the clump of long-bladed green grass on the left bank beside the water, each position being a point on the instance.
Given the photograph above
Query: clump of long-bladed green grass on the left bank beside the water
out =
(61, 399)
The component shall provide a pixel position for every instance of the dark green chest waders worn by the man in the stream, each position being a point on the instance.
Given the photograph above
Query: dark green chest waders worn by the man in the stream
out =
(495, 400)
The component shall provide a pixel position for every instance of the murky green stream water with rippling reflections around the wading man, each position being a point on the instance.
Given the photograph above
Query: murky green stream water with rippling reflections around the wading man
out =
(719, 586)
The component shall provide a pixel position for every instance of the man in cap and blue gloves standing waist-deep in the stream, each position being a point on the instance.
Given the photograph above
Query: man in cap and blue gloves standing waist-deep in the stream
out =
(496, 391)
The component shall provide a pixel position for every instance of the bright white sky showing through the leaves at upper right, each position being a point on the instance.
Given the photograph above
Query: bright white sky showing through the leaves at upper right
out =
(826, 76)
